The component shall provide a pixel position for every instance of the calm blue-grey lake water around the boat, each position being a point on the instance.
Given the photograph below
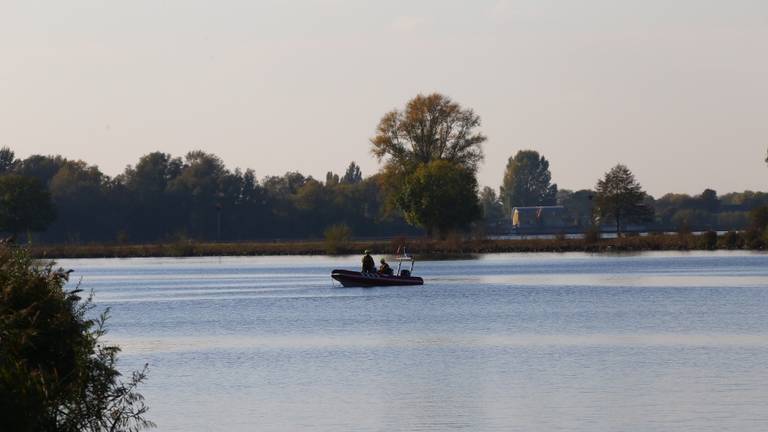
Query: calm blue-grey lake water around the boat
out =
(516, 342)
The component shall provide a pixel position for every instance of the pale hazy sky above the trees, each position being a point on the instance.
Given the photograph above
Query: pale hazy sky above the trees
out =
(675, 89)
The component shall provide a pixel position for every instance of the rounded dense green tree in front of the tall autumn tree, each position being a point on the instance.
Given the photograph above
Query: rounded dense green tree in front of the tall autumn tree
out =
(440, 196)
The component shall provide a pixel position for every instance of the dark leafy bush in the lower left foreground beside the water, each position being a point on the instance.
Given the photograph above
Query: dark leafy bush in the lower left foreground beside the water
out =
(55, 374)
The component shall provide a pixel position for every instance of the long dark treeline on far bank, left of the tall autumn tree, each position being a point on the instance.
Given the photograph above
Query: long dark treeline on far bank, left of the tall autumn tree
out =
(166, 198)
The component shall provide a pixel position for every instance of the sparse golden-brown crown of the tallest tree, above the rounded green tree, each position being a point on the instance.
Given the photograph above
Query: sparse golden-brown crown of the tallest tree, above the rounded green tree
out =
(431, 127)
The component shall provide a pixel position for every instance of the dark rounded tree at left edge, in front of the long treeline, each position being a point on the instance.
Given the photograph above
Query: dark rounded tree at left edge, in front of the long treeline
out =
(25, 205)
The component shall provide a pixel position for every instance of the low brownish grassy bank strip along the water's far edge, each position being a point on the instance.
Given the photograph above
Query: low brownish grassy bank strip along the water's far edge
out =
(423, 247)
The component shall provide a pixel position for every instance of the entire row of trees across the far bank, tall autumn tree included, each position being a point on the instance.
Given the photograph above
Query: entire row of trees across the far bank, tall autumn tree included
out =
(430, 153)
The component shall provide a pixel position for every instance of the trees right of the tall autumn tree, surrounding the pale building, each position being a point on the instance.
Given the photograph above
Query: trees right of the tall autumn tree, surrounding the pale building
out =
(527, 182)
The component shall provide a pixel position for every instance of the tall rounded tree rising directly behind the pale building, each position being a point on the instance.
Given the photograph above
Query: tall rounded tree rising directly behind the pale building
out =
(527, 181)
